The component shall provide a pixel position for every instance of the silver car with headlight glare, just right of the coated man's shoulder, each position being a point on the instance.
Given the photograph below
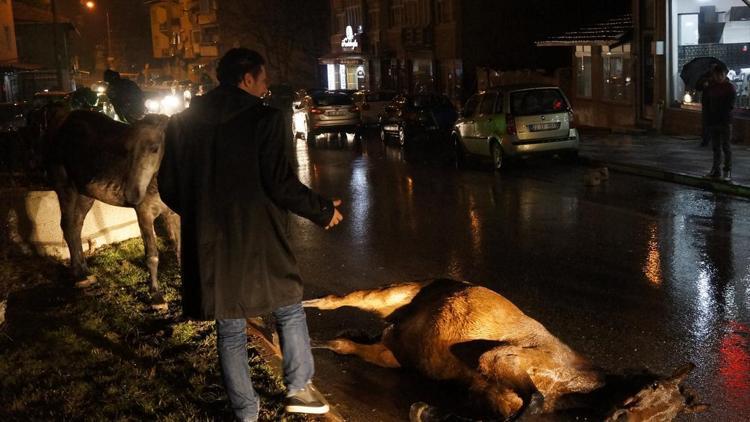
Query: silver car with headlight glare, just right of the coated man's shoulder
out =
(325, 112)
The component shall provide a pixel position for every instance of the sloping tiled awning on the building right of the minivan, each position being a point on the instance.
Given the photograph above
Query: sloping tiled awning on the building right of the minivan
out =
(613, 32)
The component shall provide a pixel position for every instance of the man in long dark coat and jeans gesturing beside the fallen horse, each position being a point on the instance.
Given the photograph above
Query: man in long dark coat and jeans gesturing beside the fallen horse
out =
(225, 173)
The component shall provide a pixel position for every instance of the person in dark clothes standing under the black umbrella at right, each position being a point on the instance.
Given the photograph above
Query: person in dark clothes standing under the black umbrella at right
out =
(718, 102)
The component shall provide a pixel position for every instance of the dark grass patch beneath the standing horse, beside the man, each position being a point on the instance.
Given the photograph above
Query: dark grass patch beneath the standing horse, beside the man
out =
(103, 354)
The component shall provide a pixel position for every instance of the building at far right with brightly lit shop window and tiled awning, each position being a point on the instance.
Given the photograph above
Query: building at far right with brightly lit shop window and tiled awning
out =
(627, 69)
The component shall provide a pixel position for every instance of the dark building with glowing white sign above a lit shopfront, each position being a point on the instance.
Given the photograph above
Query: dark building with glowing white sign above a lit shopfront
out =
(402, 45)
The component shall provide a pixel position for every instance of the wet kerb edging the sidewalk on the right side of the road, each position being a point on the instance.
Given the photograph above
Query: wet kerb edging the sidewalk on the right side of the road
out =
(670, 176)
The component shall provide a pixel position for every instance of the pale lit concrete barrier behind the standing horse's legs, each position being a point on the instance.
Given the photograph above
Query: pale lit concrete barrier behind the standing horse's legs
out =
(31, 224)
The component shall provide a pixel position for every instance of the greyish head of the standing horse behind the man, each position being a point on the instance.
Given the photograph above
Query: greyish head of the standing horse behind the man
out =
(145, 149)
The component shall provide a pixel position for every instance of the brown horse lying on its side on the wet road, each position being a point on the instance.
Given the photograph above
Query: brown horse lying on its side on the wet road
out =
(457, 331)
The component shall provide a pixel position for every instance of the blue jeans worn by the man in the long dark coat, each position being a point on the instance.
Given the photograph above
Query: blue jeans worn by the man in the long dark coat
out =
(291, 325)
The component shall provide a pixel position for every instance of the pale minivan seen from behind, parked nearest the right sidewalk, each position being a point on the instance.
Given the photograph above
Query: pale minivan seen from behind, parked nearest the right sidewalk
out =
(515, 120)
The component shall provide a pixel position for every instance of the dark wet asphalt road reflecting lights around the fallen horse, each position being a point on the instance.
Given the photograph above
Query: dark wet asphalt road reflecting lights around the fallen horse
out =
(634, 273)
